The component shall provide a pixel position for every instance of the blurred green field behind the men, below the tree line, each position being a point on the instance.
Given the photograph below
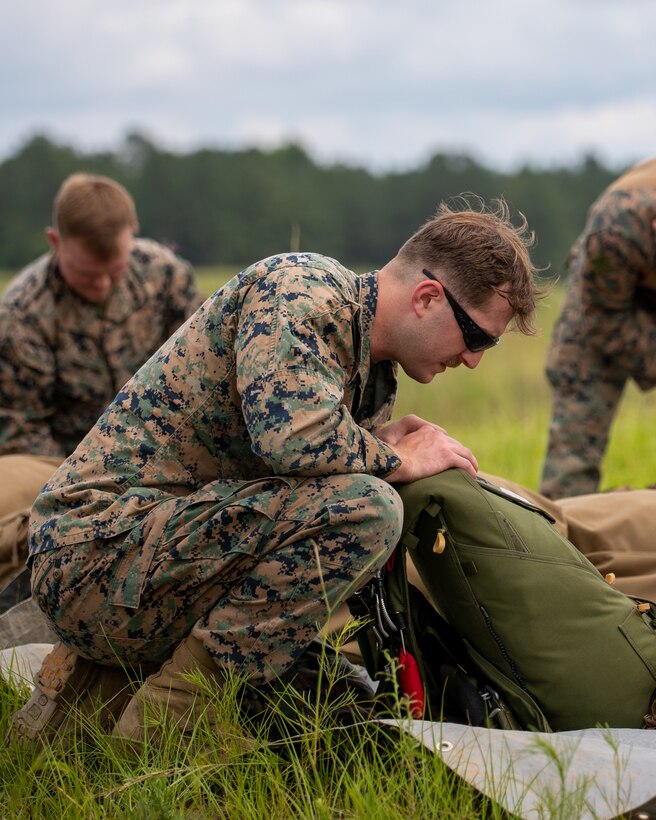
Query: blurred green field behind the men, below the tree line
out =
(501, 410)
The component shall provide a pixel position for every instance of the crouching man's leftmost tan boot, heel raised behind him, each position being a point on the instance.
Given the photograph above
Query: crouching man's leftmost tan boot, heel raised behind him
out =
(67, 687)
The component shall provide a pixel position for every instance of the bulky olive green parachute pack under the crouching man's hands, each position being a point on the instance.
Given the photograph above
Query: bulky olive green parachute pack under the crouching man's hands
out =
(521, 631)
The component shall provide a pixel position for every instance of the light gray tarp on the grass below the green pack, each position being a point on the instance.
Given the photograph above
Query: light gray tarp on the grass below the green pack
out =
(592, 773)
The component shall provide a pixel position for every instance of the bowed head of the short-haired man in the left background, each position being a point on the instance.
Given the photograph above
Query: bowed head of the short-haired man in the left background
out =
(94, 209)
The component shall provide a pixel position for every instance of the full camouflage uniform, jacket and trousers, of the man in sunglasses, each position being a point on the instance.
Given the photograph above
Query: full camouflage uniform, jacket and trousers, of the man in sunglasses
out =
(233, 490)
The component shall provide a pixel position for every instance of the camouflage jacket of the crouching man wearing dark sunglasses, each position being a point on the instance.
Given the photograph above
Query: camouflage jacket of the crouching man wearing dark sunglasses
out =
(271, 376)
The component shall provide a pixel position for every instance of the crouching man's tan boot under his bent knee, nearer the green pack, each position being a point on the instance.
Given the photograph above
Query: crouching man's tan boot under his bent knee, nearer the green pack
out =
(167, 695)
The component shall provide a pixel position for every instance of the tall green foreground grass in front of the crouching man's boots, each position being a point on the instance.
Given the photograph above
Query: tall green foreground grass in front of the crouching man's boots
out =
(324, 772)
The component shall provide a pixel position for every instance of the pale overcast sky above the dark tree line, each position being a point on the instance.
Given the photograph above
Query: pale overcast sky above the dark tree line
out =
(381, 83)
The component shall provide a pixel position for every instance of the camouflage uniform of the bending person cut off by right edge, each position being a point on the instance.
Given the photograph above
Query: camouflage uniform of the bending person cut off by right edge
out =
(606, 333)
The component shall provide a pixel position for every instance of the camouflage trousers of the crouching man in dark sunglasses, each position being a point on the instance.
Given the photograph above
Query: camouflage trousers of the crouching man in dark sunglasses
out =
(252, 569)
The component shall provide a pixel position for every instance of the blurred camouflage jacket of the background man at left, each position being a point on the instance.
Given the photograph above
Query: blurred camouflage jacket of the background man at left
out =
(62, 360)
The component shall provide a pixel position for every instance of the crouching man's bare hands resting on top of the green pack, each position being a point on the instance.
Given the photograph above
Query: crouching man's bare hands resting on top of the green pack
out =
(424, 449)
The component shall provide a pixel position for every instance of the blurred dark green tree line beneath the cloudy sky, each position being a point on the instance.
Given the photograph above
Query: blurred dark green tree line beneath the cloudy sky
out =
(219, 207)
